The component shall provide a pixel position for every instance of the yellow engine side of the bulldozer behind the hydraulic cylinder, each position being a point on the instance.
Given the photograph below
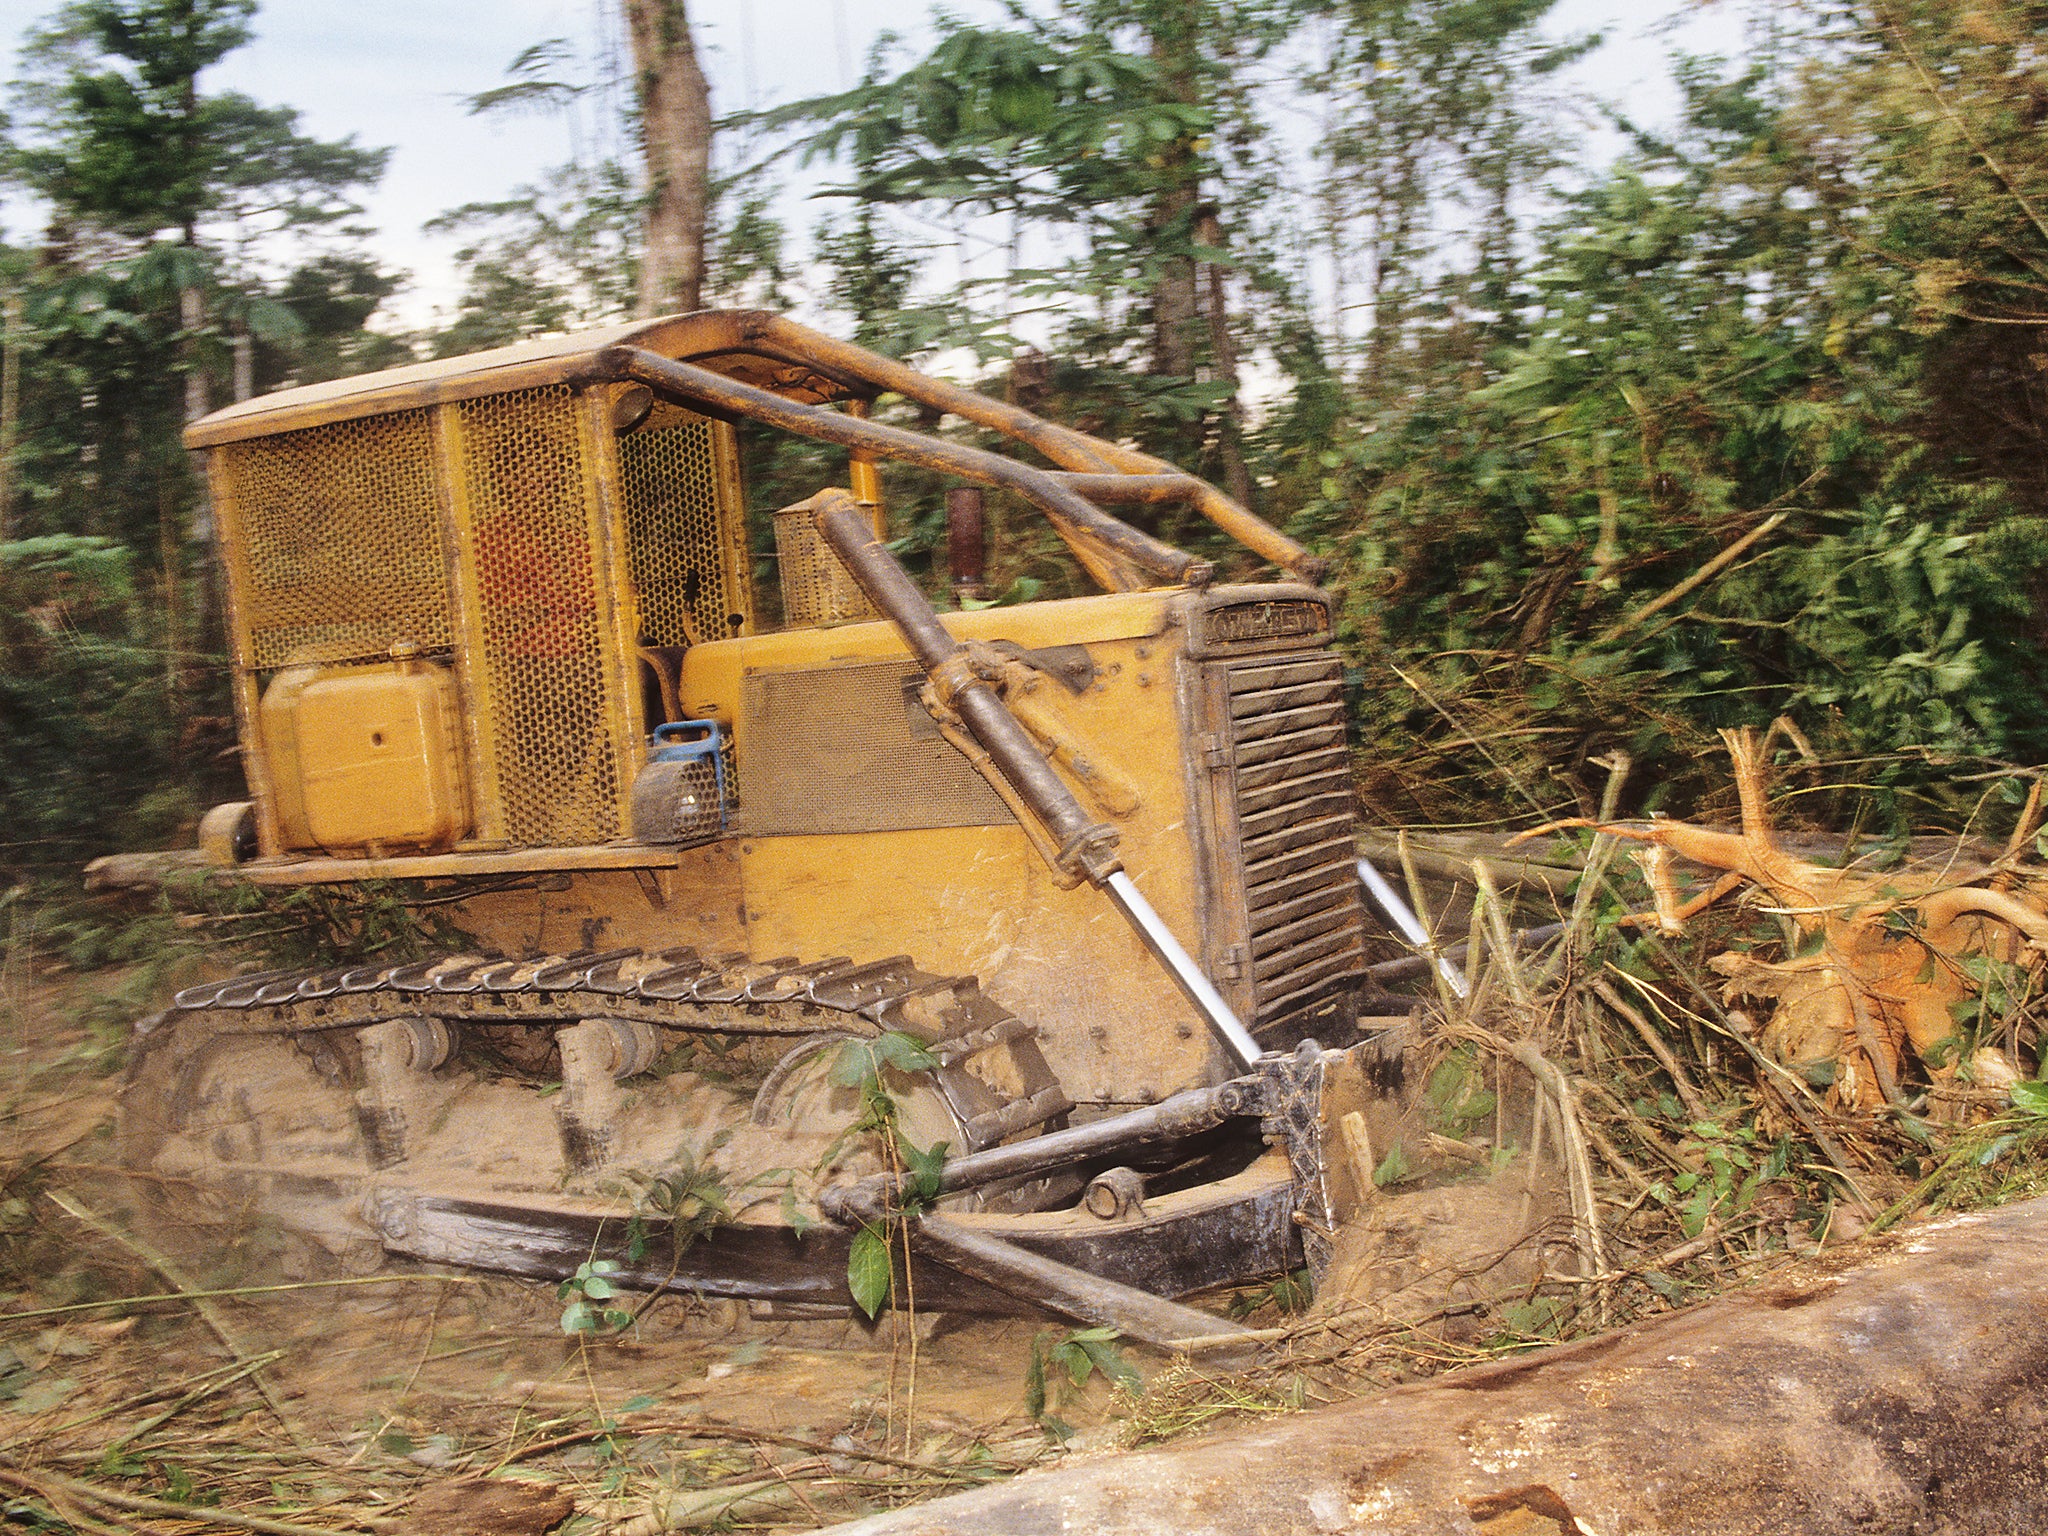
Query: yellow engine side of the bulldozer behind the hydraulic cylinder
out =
(978, 898)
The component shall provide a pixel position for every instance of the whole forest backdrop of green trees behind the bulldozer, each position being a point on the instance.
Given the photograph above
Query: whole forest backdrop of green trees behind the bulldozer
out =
(1742, 421)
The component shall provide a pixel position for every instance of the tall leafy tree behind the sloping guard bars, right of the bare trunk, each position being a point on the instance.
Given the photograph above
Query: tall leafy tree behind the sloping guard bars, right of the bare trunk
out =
(1109, 136)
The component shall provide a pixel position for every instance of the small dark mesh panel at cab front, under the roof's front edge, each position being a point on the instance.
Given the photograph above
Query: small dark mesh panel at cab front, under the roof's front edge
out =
(677, 544)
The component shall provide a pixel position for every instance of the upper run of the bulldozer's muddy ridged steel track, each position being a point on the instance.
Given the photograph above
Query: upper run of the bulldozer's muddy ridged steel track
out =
(673, 990)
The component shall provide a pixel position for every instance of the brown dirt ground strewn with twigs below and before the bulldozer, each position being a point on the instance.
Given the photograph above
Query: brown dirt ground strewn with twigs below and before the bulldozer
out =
(439, 1404)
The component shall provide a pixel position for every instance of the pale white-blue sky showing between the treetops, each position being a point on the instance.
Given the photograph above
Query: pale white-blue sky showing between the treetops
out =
(398, 73)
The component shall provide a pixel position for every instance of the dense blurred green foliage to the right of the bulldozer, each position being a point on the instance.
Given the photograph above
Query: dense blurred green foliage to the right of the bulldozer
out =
(1727, 335)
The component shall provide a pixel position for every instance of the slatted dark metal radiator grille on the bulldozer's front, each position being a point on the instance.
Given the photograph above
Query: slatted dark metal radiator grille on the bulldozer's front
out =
(1295, 816)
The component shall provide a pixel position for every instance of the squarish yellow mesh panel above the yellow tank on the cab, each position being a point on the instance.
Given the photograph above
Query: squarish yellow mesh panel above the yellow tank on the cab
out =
(341, 542)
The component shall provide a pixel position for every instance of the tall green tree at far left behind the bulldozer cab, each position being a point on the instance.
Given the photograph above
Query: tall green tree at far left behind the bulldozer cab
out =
(153, 280)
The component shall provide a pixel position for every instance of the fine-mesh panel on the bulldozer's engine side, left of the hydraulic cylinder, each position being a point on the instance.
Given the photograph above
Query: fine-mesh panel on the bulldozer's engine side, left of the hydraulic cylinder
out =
(849, 749)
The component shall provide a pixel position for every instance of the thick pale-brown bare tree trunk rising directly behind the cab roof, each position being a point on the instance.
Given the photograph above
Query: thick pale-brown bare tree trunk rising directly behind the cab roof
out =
(677, 138)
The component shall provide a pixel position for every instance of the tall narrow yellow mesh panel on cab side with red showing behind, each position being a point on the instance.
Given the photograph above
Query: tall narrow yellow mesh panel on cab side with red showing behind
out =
(538, 599)
